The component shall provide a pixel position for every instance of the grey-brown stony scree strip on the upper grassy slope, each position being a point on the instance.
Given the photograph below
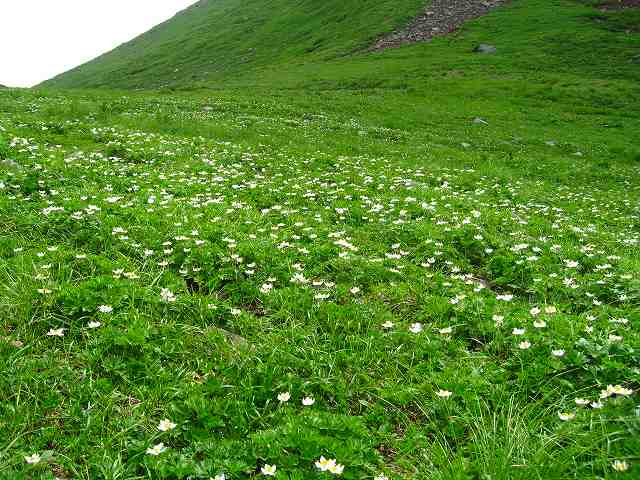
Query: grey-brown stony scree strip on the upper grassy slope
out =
(441, 17)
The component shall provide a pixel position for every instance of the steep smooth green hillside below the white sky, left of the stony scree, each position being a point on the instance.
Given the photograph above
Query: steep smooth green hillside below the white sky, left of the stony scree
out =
(214, 38)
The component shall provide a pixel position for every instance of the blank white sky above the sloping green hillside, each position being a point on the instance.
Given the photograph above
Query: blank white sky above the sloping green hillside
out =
(42, 38)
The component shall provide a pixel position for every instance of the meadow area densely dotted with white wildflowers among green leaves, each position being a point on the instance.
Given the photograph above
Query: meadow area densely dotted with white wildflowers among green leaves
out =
(187, 307)
